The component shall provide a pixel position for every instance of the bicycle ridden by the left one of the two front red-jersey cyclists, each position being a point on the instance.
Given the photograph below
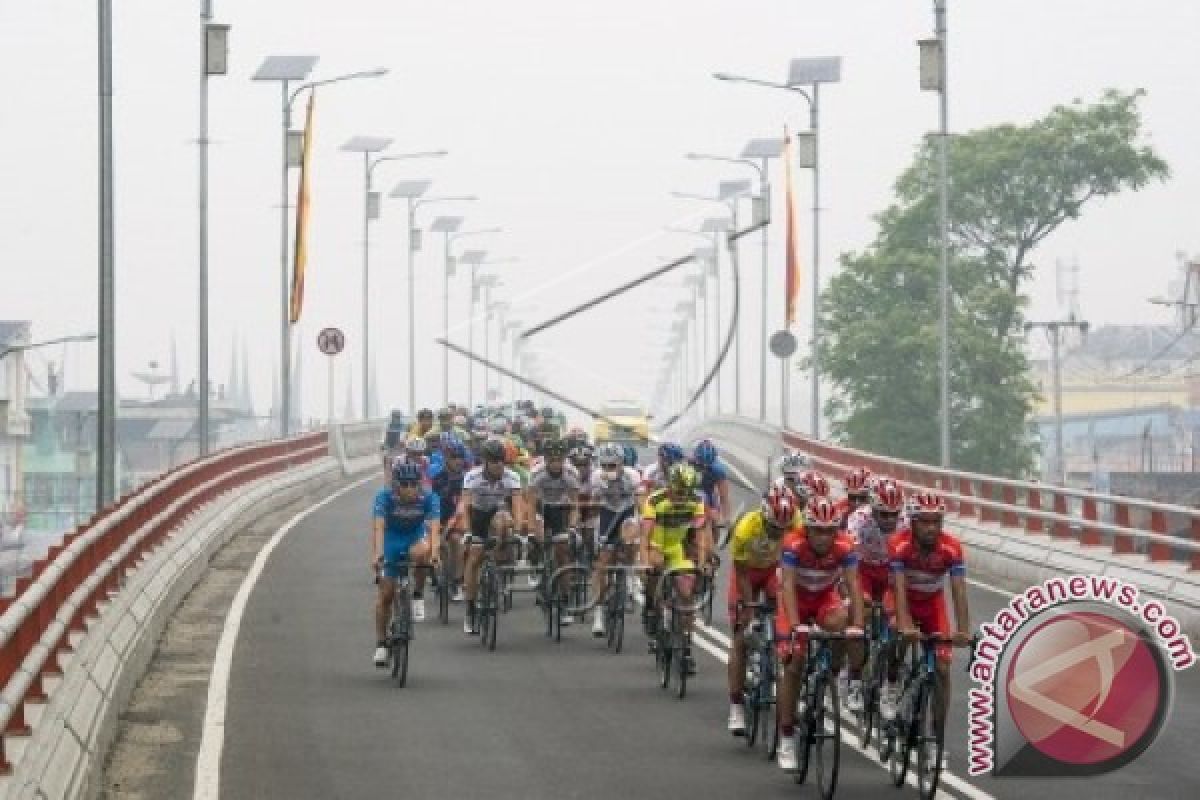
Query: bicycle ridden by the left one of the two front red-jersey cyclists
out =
(819, 726)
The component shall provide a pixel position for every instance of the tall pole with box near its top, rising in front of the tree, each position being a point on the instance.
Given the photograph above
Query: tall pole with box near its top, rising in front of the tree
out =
(934, 79)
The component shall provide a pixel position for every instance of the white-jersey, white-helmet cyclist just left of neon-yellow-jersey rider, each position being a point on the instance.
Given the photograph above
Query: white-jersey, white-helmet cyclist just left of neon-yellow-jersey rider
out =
(614, 489)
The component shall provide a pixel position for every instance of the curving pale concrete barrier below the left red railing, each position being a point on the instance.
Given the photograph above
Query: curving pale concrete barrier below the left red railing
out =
(74, 729)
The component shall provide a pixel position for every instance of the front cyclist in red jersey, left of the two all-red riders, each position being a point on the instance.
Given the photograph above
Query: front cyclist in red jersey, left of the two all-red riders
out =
(813, 563)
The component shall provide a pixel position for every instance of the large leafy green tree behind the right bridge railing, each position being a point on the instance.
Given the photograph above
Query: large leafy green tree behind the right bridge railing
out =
(1010, 189)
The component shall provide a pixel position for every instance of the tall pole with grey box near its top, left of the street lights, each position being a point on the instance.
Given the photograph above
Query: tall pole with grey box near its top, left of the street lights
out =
(214, 51)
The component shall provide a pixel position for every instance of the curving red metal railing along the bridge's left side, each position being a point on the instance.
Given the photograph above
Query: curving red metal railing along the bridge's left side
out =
(69, 586)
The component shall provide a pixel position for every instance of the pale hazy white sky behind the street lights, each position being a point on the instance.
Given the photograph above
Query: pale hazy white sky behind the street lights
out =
(569, 121)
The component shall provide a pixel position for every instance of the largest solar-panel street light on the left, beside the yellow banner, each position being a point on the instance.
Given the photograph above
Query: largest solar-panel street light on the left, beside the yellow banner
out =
(287, 70)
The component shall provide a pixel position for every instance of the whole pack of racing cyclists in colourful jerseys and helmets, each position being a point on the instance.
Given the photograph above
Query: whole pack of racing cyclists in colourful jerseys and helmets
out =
(479, 478)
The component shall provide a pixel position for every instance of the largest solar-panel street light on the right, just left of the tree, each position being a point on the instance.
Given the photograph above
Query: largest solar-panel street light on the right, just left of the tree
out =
(805, 79)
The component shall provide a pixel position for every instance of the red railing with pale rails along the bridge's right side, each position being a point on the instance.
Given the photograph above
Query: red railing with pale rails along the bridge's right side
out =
(1127, 526)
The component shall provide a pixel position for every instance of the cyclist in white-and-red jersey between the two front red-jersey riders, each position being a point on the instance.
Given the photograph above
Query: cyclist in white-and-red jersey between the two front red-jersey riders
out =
(871, 527)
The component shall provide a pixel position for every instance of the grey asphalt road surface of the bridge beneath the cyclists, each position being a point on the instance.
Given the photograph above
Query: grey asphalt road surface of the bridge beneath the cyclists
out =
(309, 717)
